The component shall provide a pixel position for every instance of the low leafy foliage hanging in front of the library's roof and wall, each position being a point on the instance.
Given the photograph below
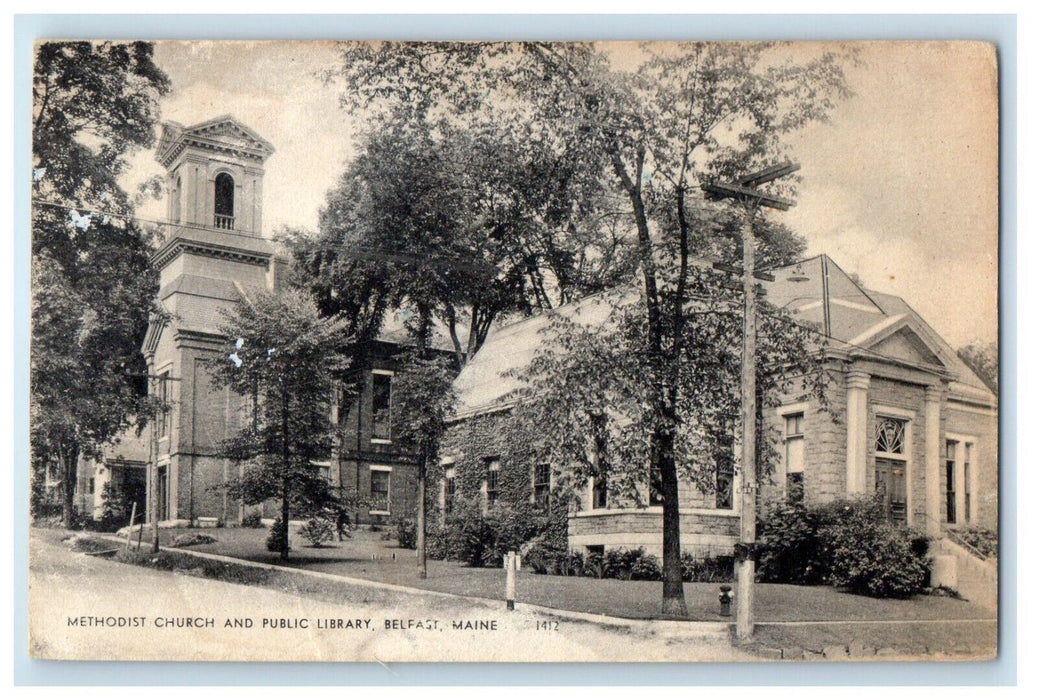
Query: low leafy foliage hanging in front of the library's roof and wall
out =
(586, 400)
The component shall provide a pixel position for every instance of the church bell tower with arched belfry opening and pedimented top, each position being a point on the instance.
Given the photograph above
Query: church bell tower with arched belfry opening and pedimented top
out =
(213, 257)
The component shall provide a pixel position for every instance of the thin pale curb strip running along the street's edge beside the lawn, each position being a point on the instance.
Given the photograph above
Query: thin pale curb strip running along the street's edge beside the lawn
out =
(691, 628)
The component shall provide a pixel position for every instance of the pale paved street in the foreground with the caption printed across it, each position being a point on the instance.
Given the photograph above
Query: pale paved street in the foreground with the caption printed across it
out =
(91, 608)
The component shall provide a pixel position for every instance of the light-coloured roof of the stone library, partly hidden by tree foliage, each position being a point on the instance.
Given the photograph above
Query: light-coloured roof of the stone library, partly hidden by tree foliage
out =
(817, 291)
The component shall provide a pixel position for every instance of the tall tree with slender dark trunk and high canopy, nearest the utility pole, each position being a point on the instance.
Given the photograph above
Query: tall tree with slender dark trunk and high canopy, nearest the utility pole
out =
(662, 120)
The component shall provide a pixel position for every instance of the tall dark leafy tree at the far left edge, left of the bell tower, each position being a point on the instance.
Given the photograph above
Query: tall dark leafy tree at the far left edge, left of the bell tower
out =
(93, 286)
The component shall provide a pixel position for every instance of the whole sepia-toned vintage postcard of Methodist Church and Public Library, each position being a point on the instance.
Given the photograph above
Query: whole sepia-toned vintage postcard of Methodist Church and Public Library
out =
(514, 352)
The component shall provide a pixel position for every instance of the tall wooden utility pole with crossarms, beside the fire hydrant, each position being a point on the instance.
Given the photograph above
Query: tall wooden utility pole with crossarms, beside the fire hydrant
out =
(746, 193)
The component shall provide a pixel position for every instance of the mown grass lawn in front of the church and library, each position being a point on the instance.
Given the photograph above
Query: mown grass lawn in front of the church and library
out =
(637, 600)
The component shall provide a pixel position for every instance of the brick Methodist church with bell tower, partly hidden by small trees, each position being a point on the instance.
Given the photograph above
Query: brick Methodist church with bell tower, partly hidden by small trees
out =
(213, 257)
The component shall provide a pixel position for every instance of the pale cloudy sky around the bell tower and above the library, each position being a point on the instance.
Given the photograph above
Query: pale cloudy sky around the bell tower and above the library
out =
(900, 186)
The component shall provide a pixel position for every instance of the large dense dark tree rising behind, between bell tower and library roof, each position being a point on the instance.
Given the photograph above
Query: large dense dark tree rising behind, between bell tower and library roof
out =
(475, 219)
